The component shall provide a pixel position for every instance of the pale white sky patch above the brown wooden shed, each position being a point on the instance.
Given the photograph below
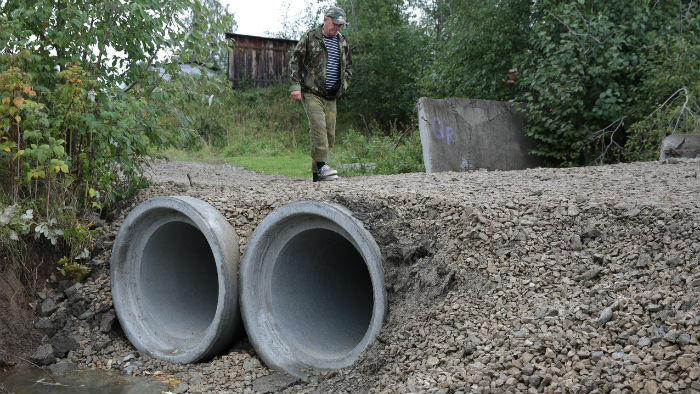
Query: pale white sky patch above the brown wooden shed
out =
(255, 17)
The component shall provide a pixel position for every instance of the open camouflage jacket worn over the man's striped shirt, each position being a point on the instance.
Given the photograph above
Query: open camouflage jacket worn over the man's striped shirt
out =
(308, 64)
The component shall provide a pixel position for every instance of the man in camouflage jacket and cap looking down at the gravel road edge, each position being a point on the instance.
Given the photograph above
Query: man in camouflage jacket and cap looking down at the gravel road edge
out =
(321, 71)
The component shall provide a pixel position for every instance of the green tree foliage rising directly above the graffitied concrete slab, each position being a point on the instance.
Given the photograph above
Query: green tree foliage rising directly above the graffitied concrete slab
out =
(474, 46)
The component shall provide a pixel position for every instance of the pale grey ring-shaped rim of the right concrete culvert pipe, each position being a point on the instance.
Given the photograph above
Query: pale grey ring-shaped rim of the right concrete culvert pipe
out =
(261, 327)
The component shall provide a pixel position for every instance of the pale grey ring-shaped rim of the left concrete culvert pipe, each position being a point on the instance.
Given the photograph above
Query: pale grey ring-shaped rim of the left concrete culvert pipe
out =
(127, 294)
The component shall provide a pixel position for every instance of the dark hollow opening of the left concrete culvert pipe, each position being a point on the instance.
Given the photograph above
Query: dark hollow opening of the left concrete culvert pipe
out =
(179, 283)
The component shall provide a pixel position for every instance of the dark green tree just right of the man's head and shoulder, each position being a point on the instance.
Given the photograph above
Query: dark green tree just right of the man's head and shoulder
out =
(388, 57)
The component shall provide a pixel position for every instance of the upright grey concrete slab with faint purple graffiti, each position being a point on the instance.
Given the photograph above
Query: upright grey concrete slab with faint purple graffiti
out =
(463, 134)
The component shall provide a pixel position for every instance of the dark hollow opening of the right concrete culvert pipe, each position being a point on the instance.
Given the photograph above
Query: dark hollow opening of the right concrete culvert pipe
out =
(321, 294)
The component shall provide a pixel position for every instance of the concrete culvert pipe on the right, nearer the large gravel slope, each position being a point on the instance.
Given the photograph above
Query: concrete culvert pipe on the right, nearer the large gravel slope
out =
(312, 288)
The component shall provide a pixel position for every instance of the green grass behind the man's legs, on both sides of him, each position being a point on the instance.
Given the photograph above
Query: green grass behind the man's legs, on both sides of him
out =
(264, 131)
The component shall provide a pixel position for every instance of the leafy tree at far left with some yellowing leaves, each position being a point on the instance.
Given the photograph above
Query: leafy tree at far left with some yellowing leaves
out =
(78, 110)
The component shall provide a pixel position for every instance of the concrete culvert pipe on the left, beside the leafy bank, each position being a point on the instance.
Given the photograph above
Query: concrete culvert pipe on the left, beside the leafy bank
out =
(174, 279)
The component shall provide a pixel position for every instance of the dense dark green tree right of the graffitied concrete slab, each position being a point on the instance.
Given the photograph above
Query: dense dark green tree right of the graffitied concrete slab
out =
(595, 67)
